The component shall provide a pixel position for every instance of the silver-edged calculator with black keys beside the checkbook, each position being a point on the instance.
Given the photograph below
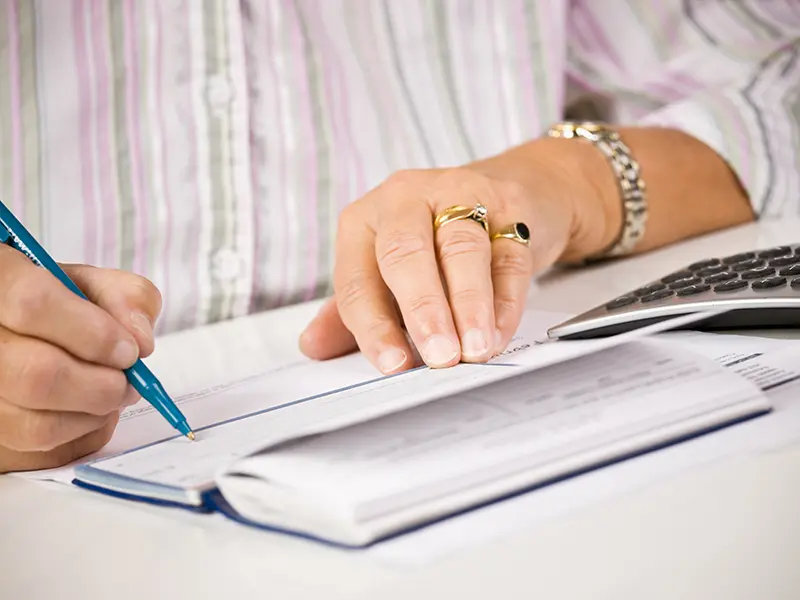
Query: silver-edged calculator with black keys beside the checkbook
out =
(757, 289)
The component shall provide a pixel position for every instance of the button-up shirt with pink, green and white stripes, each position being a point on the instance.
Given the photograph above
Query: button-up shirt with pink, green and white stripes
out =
(210, 144)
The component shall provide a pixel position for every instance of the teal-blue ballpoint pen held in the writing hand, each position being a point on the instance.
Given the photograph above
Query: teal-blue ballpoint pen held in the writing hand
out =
(14, 234)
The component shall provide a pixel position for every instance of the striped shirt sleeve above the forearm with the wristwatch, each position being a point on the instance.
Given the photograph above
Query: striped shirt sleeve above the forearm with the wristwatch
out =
(732, 80)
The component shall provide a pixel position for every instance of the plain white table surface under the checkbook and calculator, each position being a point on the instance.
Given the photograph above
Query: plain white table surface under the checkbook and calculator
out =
(728, 530)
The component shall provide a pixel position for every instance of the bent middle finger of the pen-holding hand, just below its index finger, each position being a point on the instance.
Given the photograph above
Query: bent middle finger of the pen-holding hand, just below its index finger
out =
(39, 376)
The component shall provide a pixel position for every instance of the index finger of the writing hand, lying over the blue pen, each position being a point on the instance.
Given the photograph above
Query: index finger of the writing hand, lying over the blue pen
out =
(34, 303)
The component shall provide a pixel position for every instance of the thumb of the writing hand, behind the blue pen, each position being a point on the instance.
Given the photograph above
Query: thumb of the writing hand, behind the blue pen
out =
(131, 299)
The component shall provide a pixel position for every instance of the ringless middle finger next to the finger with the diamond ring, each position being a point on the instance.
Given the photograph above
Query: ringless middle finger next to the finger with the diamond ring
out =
(407, 261)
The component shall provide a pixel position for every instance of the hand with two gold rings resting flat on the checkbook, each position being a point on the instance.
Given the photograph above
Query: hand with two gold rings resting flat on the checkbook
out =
(458, 294)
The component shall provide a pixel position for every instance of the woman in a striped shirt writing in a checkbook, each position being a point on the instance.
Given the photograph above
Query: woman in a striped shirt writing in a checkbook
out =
(246, 155)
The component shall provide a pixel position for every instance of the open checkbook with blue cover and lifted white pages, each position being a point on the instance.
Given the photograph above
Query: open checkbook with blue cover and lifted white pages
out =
(379, 459)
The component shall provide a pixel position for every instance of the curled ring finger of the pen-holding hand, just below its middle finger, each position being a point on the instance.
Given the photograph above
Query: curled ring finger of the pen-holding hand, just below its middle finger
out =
(25, 430)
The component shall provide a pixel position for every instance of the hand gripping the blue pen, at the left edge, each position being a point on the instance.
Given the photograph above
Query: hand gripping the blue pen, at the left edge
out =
(61, 358)
